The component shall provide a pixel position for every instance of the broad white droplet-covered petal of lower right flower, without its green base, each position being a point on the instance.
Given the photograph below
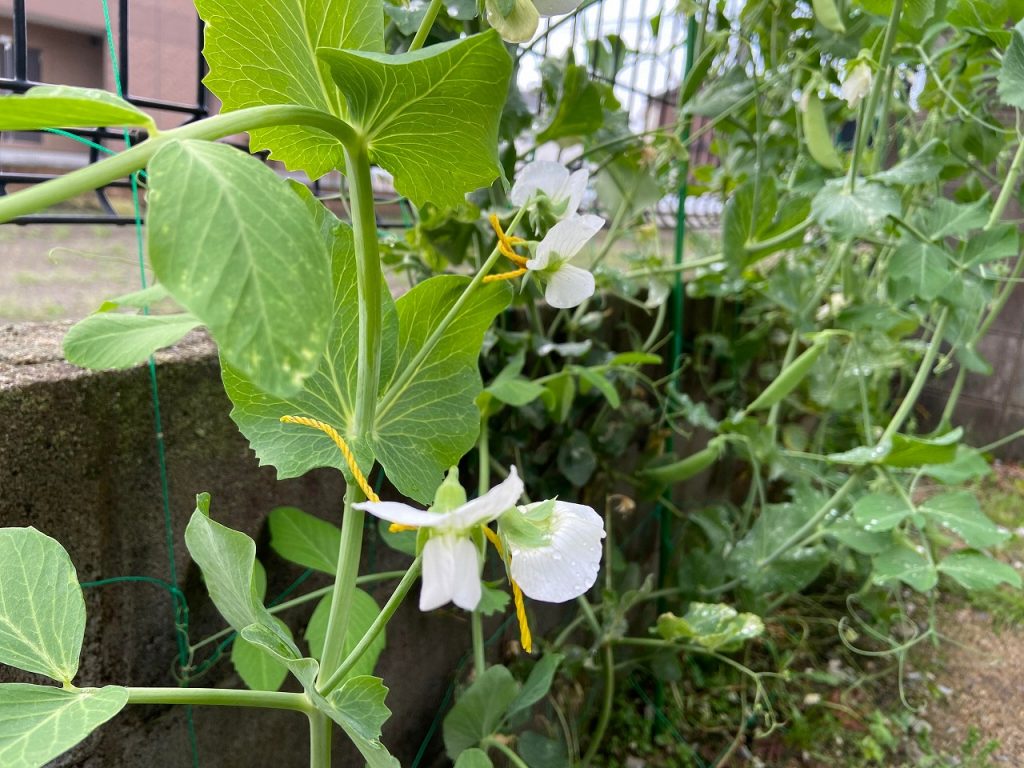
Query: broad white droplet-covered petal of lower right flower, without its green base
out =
(568, 567)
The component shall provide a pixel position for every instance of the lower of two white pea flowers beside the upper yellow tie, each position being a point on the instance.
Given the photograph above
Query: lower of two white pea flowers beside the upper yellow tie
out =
(566, 286)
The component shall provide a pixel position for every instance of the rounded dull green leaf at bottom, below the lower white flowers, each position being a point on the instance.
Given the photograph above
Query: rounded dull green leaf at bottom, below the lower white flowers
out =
(480, 710)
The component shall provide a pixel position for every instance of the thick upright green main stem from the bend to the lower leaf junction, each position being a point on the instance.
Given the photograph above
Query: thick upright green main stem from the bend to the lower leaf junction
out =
(369, 283)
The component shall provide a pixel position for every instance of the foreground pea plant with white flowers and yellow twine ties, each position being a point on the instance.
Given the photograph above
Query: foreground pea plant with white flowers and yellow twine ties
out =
(324, 367)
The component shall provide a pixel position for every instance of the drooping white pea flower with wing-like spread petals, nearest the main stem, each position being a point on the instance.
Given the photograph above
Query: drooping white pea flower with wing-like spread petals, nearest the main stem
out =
(451, 559)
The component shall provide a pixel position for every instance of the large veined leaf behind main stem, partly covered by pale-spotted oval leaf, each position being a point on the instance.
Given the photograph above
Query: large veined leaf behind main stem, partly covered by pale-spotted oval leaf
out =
(329, 394)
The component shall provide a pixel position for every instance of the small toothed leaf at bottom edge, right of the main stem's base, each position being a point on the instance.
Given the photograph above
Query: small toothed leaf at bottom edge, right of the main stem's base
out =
(359, 708)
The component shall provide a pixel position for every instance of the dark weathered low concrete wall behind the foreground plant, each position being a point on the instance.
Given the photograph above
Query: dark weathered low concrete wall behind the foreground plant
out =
(78, 461)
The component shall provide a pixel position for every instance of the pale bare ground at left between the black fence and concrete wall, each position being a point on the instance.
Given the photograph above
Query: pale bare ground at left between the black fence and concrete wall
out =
(62, 272)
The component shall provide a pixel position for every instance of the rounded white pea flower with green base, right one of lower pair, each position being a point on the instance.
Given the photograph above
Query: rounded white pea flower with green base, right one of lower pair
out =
(554, 548)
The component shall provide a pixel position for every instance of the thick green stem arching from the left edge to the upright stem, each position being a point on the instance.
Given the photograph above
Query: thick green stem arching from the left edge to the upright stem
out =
(44, 196)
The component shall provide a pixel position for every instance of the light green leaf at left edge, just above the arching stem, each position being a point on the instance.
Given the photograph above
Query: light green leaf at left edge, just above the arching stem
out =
(67, 107)
